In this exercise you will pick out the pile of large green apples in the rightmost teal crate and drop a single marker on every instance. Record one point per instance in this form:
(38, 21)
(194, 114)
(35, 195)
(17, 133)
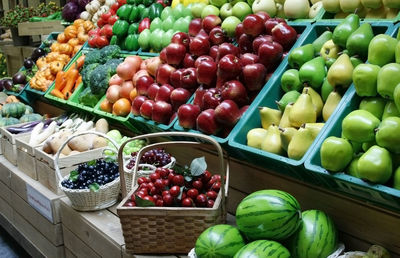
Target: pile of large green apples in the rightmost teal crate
(370, 144)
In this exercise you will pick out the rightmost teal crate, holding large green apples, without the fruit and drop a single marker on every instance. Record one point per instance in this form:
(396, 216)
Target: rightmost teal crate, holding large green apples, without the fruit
(376, 194)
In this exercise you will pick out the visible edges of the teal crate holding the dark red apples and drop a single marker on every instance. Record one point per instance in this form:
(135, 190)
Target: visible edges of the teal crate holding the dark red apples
(304, 29)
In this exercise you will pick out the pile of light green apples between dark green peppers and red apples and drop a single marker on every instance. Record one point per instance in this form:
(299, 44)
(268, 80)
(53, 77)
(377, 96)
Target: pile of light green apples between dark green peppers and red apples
(162, 28)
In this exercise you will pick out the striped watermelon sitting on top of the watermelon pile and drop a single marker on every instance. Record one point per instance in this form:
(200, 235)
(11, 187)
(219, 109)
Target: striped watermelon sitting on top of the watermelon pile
(268, 214)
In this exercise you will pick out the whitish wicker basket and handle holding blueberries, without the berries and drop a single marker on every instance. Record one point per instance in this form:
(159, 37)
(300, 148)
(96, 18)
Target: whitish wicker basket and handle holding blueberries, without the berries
(85, 199)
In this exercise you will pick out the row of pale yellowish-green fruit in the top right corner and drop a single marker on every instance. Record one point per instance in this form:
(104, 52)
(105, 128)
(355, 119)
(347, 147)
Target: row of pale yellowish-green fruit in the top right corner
(370, 9)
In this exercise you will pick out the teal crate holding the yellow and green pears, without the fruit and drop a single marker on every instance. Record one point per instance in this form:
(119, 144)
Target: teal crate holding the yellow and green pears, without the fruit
(252, 120)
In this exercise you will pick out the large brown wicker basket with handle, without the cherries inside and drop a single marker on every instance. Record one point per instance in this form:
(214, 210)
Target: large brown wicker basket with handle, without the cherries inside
(170, 229)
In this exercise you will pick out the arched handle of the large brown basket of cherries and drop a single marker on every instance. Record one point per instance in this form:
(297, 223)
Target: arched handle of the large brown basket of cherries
(205, 138)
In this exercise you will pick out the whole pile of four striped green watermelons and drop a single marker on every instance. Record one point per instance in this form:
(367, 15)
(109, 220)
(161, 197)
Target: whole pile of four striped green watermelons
(271, 224)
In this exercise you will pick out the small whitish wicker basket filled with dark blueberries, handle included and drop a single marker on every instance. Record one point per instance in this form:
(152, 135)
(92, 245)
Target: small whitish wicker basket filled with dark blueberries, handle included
(93, 185)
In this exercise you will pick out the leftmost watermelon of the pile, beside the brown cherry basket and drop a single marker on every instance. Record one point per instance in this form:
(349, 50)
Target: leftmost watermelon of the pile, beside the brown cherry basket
(219, 241)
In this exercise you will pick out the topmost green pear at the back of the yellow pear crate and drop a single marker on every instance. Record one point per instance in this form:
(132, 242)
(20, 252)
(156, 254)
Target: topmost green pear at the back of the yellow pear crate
(343, 31)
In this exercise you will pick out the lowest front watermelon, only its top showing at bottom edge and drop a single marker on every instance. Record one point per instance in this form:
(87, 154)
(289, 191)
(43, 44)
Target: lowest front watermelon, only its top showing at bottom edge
(263, 249)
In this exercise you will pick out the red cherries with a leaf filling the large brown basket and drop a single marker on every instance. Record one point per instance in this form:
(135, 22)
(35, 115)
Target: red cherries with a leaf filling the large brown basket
(176, 187)
